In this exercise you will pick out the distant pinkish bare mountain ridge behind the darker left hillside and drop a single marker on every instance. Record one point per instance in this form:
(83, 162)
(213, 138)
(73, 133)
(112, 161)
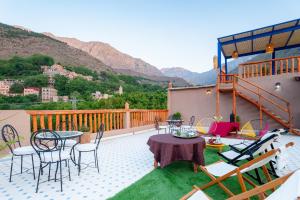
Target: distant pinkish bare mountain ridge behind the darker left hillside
(111, 56)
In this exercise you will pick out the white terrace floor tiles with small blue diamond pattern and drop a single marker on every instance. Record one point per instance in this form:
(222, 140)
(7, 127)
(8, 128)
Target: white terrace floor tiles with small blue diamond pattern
(123, 161)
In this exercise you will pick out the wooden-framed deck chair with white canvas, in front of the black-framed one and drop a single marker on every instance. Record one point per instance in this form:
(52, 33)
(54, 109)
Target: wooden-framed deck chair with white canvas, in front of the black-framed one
(221, 171)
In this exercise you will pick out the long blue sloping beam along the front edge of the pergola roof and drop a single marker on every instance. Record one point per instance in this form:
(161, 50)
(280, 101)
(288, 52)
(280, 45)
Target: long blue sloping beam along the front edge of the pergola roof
(262, 35)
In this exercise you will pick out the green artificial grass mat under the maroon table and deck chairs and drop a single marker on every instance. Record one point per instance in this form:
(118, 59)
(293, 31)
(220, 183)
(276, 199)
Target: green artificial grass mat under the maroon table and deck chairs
(176, 180)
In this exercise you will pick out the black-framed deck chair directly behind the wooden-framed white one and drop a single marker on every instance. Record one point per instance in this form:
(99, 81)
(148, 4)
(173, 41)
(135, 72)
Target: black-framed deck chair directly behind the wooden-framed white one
(258, 147)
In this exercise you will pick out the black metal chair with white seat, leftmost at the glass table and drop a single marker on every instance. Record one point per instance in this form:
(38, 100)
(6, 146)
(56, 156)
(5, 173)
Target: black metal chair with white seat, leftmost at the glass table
(12, 139)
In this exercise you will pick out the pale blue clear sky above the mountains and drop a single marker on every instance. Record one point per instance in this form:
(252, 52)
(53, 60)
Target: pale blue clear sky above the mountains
(165, 33)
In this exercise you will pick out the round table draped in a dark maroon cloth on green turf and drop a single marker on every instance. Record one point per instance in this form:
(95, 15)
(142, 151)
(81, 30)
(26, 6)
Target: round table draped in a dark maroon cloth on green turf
(167, 149)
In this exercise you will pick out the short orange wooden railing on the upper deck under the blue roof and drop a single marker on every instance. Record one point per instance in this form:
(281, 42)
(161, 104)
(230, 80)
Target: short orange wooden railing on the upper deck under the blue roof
(264, 68)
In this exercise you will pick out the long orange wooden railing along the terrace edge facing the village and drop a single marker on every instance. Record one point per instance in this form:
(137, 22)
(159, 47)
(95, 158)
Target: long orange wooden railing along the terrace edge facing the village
(113, 119)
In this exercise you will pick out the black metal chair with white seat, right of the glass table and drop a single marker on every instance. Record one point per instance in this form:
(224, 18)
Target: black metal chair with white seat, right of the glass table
(89, 147)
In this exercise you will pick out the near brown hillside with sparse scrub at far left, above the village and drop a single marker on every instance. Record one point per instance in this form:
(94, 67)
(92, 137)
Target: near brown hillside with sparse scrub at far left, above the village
(17, 41)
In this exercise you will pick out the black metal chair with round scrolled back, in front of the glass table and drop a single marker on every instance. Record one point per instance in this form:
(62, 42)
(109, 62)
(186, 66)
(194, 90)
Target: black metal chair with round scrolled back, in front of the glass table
(48, 146)
